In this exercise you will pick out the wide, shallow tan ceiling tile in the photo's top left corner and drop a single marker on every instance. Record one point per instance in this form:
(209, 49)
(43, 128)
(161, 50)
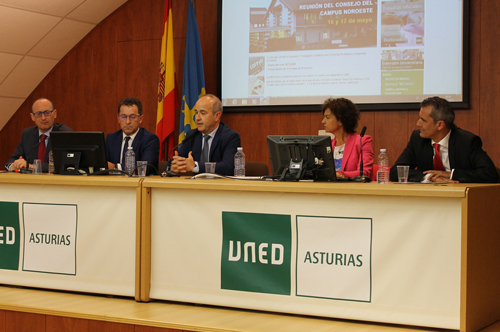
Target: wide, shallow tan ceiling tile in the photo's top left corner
(59, 8)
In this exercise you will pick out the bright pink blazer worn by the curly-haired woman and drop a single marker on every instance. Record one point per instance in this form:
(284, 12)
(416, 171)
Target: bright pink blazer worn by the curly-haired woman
(350, 160)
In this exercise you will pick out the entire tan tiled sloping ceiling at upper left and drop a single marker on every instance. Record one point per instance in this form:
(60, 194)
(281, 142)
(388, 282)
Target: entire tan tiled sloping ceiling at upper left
(35, 35)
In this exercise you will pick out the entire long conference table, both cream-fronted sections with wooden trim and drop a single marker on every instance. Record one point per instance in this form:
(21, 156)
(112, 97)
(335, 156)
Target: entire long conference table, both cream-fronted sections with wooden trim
(412, 254)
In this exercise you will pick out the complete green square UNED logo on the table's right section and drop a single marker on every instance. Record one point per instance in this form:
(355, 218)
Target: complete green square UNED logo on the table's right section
(256, 252)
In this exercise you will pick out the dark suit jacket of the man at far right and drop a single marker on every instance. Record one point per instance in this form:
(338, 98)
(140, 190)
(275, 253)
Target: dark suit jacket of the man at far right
(467, 157)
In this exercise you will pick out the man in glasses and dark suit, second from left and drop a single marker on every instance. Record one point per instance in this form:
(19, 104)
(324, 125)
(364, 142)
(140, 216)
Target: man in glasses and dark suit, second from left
(146, 145)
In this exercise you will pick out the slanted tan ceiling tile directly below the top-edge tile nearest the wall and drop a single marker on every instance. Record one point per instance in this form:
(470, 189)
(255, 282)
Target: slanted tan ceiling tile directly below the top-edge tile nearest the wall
(61, 39)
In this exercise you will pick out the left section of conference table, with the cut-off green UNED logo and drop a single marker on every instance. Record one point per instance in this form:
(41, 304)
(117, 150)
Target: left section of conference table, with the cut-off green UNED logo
(76, 233)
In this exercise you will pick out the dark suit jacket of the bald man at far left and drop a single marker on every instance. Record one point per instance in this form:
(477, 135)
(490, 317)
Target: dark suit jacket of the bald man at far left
(28, 147)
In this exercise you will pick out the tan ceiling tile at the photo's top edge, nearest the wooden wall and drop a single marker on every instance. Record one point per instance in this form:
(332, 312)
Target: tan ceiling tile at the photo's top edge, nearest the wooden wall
(94, 11)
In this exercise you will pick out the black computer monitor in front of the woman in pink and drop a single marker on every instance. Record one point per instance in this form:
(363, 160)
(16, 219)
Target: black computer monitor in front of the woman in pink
(295, 158)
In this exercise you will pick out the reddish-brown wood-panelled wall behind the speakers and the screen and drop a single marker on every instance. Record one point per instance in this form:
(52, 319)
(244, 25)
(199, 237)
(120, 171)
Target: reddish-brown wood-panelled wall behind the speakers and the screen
(120, 58)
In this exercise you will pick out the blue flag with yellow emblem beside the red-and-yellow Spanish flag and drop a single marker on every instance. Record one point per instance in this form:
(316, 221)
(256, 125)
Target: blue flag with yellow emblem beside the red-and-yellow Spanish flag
(194, 78)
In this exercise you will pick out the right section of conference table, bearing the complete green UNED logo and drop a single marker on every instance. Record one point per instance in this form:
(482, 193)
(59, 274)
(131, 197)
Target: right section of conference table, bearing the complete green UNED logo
(412, 254)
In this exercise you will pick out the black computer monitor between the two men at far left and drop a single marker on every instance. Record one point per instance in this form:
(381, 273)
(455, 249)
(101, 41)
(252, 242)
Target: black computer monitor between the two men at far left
(78, 152)
